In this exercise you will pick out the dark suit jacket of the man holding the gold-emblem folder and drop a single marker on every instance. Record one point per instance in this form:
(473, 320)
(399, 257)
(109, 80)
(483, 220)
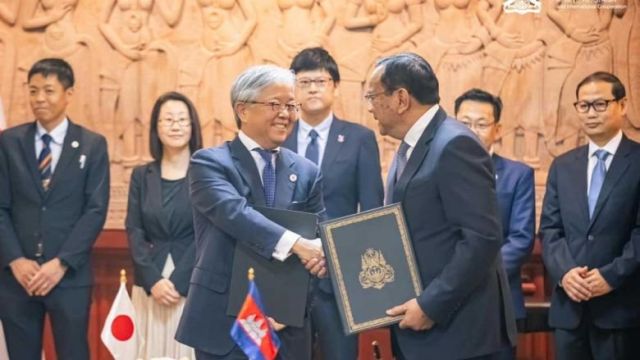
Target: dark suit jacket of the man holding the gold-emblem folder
(447, 191)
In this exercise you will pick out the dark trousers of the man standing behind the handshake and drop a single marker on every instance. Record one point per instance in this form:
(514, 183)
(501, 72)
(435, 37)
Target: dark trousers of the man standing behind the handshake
(327, 326)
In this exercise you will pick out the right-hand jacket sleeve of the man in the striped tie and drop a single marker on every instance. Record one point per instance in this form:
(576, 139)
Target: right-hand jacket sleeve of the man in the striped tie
(76, 249)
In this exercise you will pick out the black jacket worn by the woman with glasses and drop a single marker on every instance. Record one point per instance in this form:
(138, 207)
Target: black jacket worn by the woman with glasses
(150, 240)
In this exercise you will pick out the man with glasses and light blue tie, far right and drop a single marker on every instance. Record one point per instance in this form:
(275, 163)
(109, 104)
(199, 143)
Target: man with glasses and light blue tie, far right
(589, 227)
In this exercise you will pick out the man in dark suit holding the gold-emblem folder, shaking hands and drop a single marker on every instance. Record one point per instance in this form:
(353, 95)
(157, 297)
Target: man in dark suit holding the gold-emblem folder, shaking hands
(444, 179)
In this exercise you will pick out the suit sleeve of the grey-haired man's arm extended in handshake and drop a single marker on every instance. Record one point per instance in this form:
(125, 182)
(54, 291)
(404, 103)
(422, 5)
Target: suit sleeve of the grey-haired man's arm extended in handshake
(215, 197)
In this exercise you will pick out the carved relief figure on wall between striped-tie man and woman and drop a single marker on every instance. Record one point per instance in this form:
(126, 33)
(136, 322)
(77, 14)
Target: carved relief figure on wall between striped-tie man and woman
(140, 76)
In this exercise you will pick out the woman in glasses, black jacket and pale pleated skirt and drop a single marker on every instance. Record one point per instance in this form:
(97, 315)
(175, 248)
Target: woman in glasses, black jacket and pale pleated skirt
(160, 226)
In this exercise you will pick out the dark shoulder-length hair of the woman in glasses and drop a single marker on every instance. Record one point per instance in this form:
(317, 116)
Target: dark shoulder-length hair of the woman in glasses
(195, 143)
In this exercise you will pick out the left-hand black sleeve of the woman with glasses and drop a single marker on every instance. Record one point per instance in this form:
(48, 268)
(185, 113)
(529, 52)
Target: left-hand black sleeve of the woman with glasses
(139, 247)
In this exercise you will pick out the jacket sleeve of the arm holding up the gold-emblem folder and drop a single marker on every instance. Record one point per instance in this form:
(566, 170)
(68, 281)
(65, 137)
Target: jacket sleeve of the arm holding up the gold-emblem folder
(467, 189)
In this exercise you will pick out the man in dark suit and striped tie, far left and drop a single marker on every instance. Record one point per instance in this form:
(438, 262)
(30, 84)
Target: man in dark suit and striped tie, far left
(54, 192)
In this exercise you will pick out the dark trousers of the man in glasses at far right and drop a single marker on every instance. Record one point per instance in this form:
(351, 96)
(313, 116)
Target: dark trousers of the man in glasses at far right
(589, 342)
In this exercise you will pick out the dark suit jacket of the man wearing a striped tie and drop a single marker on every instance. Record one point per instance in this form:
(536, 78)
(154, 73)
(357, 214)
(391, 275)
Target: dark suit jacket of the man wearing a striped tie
(68, 218)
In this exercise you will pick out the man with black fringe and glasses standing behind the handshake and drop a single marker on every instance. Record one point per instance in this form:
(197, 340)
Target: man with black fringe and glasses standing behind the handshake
(348, 155)
